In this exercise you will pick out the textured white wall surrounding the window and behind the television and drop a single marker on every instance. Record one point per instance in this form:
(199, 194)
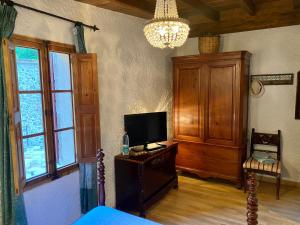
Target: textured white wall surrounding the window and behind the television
(133, 77)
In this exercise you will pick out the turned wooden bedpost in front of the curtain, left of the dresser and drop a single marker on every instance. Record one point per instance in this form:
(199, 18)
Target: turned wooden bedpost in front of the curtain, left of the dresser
(101, 177)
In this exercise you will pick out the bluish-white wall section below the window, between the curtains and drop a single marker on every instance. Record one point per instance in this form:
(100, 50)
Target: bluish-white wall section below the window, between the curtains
(57, 202)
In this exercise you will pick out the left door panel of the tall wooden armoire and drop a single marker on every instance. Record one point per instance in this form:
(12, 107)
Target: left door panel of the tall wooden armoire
(188, 125)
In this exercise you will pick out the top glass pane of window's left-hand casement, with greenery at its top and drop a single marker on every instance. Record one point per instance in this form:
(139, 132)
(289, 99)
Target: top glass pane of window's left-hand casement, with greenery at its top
(28, 69)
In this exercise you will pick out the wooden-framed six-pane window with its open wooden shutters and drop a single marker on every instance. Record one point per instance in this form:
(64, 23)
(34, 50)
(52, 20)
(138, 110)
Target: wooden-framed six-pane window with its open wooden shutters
(53, 106)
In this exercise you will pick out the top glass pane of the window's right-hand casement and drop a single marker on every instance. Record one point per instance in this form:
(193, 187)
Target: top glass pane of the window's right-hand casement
(60, 71)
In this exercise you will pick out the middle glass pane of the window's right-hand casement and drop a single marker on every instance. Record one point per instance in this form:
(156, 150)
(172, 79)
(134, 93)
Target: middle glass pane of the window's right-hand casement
(63, 112)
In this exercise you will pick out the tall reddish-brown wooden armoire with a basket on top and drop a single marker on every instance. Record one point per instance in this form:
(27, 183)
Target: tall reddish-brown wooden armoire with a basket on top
(210, 113)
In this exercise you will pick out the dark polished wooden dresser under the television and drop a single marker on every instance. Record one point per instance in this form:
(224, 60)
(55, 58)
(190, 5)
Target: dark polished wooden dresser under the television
(140, 181)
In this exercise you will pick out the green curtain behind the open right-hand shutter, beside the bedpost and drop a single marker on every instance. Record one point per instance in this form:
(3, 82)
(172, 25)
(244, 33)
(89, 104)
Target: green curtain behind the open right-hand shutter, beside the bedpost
(87, 171)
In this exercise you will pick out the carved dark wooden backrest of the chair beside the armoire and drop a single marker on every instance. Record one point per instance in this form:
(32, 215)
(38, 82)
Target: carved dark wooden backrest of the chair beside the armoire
(266, 139)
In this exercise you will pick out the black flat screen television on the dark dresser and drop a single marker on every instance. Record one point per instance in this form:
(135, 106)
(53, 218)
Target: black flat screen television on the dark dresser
(146, 128)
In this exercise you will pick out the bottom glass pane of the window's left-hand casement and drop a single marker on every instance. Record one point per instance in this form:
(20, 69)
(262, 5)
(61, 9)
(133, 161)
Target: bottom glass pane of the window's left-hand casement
(34, 156)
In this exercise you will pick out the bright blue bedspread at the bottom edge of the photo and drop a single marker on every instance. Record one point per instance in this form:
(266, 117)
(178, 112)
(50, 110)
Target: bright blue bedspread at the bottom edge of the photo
(103, 215)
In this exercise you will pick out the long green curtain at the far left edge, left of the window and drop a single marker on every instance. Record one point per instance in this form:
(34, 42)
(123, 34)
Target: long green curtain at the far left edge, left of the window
(12, 206)
